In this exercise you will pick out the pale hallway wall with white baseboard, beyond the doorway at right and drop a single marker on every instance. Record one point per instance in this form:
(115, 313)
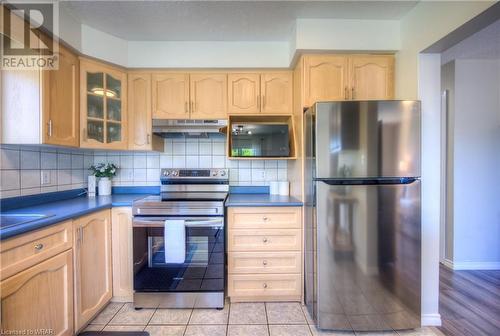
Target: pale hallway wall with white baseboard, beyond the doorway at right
(476, 163)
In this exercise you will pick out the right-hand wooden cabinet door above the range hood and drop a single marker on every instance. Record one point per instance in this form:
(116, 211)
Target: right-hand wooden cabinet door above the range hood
(208, 94)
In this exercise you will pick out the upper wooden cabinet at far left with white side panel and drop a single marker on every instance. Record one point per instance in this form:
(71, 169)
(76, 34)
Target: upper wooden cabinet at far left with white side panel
(44, 102)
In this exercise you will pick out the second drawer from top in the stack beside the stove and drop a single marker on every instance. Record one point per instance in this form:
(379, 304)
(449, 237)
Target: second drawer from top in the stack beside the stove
(264, 240)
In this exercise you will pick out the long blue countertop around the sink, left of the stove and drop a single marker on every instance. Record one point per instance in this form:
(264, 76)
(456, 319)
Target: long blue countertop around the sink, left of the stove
(66, 209)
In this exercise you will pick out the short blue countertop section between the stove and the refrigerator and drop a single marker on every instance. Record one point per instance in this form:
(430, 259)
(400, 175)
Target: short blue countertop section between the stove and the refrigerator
(261, 200)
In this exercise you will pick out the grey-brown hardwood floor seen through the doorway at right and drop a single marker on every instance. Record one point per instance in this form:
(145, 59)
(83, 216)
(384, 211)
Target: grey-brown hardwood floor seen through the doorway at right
(469, 302)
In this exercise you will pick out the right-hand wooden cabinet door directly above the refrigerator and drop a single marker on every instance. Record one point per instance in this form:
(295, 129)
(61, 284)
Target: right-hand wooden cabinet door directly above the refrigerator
(372, 77)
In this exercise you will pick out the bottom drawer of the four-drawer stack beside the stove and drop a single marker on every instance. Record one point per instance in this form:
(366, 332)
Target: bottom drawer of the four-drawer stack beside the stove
(264, 287)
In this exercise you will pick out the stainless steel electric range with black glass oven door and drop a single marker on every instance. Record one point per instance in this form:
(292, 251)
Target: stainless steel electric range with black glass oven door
(197, 197)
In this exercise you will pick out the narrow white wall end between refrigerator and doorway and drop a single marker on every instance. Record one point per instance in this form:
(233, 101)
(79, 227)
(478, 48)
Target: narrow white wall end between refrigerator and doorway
(429, 86)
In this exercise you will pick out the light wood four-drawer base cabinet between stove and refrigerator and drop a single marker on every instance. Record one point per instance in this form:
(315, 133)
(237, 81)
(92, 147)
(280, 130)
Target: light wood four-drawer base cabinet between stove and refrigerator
(264, 254)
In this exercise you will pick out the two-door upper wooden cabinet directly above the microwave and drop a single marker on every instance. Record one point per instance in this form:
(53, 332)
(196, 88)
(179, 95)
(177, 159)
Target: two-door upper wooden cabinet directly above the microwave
(252, 93)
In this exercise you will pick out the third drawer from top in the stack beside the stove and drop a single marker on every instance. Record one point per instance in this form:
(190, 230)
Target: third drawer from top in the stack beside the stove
(264, 262)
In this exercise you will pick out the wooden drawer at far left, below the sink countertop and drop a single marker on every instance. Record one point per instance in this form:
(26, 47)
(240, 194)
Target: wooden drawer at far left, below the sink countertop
(19, 253)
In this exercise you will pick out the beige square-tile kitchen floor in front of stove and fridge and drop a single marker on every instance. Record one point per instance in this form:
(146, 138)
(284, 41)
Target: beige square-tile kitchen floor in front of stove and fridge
(237, 319)
